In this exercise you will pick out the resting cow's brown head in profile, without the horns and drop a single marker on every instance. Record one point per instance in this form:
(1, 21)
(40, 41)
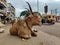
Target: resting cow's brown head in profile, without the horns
(33, 20)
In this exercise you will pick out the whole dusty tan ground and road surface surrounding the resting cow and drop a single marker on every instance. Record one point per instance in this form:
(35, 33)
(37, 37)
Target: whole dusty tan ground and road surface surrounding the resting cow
(47, 34)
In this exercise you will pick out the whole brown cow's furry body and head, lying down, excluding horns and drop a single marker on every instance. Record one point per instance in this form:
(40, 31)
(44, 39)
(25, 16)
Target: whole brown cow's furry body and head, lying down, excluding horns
(19, 29)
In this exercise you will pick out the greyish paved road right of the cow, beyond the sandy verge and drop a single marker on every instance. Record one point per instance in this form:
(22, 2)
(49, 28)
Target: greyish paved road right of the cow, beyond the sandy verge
(51, 29)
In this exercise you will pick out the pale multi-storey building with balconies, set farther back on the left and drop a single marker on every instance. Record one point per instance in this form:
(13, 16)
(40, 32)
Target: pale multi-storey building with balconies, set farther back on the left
(10, 11)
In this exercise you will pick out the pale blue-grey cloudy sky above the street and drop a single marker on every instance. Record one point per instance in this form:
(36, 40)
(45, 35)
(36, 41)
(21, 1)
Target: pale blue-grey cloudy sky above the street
(20, 5)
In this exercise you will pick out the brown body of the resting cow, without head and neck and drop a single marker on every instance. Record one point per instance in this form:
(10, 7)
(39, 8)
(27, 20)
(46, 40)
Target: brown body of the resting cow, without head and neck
(19, 29)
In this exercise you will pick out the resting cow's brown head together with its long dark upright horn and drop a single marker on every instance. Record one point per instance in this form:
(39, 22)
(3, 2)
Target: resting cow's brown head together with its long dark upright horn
(33, 19)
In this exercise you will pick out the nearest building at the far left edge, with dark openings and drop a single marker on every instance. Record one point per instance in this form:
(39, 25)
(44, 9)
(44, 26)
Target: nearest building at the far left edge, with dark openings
(3, 10)
